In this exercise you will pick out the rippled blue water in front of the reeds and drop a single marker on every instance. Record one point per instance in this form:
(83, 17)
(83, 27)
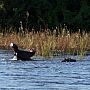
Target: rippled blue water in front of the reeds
(43, 74)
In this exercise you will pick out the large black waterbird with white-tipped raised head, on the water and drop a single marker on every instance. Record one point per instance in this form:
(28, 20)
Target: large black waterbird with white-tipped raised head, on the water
(21, 54)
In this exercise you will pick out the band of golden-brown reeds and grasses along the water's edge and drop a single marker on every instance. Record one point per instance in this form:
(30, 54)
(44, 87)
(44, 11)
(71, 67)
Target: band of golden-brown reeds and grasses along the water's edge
(49, 43)
